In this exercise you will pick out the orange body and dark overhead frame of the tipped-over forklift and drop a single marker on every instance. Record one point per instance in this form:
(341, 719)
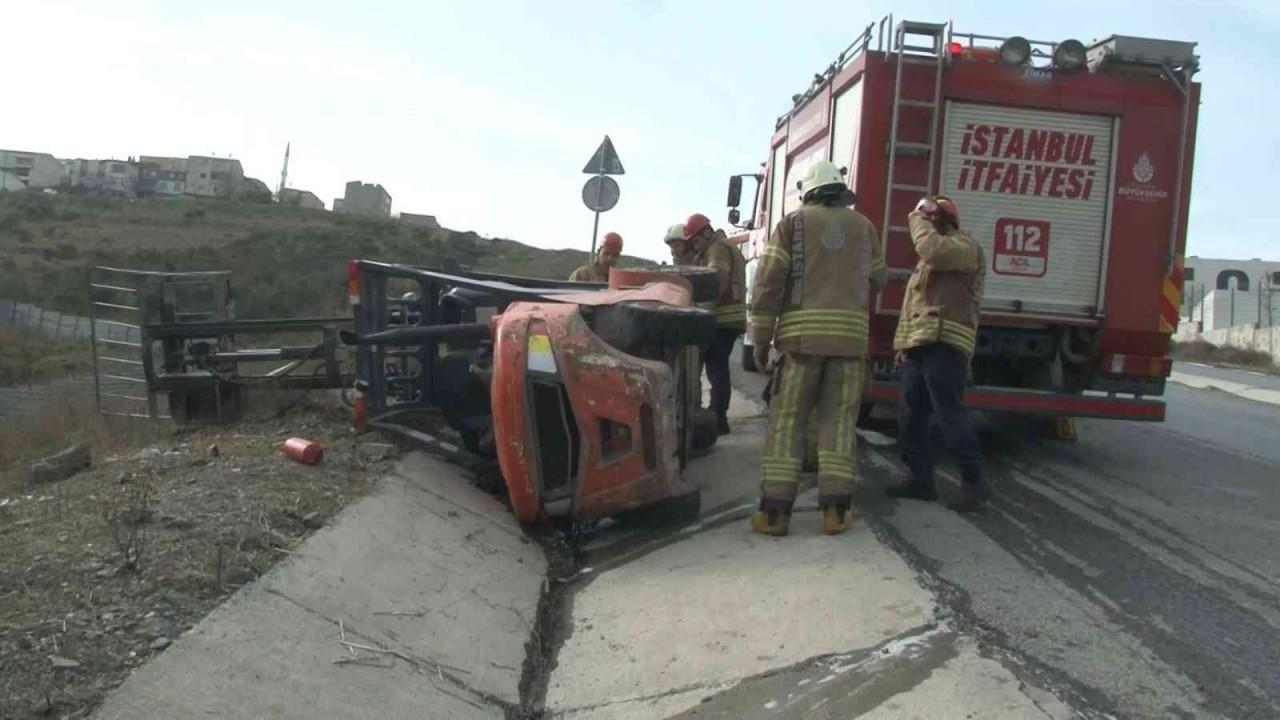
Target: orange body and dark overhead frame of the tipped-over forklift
(587, 397)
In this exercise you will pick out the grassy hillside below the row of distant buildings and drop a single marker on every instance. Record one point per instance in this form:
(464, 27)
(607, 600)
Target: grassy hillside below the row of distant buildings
(284, 261)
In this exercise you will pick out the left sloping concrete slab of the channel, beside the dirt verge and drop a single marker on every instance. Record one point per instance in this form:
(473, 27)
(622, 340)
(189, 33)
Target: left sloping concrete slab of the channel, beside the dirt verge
(435, 573)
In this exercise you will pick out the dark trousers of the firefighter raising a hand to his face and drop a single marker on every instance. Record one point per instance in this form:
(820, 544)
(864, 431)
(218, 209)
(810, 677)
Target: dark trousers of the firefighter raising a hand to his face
(932, 386)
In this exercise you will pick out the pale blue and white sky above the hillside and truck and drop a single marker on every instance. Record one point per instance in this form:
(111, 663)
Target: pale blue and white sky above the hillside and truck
(484, 113)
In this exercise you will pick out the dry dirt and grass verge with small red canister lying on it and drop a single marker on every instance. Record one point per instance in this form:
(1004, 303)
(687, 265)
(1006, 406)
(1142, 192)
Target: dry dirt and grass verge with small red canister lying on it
(103, 571)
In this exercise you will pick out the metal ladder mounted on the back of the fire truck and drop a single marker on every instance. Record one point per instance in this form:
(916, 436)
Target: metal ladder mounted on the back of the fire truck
(913, 53)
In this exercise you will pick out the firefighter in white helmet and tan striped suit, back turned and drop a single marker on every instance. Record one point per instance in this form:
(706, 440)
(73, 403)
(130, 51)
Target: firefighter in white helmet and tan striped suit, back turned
(811, 302)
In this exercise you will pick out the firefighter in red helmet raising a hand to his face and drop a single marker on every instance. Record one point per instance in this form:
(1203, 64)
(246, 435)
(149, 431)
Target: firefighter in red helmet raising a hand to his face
(935, 341)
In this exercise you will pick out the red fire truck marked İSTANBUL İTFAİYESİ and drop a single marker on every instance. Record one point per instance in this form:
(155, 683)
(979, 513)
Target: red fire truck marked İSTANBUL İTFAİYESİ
(1069, 163)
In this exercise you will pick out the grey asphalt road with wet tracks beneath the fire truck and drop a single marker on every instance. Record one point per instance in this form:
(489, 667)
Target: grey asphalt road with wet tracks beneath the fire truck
(1133, 573)
